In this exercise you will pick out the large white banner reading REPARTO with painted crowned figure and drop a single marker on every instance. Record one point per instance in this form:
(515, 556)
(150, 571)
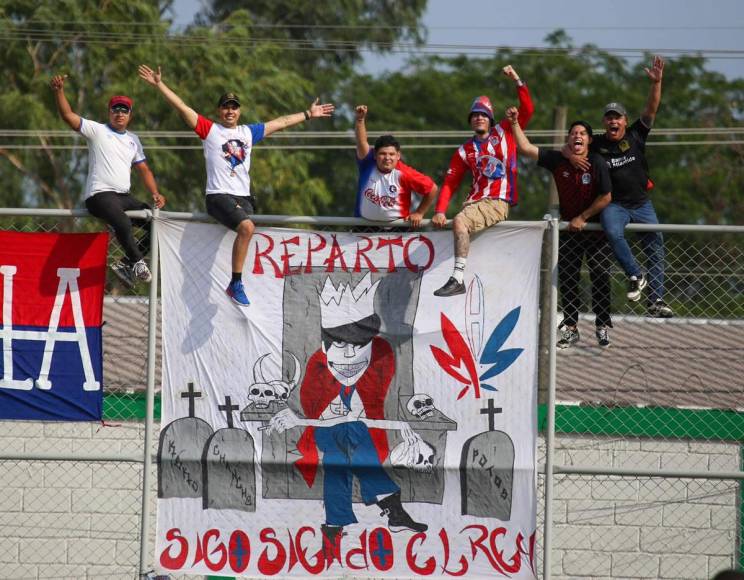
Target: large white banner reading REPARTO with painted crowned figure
(348, 423)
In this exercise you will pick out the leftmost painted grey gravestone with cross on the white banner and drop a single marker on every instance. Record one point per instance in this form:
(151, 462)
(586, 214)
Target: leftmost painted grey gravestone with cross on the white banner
(180, 450)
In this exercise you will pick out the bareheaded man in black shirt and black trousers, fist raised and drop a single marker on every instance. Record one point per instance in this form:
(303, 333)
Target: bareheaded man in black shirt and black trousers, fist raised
(582, 195)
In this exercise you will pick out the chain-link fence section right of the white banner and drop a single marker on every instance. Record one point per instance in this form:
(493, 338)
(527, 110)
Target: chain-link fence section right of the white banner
(648, 455)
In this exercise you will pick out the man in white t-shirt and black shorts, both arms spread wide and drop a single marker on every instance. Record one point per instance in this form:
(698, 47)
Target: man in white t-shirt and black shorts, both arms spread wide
(227, 151)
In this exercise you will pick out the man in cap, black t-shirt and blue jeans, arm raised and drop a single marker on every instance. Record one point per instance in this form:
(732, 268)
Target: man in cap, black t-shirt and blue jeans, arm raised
(624, 149)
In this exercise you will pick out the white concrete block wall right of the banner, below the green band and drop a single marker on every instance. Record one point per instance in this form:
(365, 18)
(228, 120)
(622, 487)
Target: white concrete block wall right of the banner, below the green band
(639, 527)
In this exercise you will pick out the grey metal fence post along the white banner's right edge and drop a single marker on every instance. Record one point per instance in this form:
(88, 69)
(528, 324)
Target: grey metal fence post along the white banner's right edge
(550, 425)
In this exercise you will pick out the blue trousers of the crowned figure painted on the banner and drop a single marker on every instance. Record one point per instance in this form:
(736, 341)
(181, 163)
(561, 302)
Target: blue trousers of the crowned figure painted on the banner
(348, 450)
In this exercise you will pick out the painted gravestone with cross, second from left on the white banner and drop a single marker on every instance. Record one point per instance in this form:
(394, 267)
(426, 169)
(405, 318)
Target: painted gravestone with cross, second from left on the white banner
(229, 468)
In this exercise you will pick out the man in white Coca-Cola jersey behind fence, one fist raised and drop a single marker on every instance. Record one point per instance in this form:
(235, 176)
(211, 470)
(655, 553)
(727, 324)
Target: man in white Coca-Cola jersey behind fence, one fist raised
(385, 182)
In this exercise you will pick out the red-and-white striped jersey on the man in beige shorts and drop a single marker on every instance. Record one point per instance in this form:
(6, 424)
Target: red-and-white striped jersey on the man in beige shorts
(491, 161)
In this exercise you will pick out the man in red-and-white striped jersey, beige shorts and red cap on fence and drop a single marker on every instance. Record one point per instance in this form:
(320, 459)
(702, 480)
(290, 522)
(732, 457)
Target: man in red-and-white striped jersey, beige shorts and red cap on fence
(491, 157)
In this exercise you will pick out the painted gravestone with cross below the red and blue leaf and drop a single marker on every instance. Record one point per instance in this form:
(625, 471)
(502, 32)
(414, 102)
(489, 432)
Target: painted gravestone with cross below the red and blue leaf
(487, 471)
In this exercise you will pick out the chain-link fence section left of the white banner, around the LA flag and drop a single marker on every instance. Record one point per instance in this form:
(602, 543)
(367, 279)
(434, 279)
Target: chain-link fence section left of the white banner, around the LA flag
(72, 492)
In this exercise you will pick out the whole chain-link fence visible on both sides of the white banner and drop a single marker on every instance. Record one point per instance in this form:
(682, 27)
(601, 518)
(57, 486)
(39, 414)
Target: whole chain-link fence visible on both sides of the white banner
(642, 478)
